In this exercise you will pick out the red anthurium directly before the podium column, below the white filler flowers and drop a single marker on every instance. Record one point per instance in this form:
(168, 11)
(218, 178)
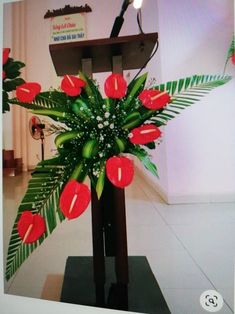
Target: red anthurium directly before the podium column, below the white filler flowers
(120, 171)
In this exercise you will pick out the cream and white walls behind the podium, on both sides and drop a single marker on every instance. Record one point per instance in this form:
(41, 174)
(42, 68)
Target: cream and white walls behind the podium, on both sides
(196, 158)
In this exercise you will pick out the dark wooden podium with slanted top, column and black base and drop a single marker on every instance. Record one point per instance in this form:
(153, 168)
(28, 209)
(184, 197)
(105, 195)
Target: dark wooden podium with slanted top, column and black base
(110, 279)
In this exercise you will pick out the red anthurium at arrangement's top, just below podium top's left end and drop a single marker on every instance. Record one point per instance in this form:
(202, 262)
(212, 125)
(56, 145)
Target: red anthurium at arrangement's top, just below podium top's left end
(71, 85)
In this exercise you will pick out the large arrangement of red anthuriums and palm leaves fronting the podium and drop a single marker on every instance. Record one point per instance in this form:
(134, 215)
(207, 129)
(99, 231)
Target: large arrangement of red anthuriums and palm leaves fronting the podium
(97, 136)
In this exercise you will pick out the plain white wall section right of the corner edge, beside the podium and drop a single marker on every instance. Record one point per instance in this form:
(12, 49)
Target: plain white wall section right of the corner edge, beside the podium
(200, 152)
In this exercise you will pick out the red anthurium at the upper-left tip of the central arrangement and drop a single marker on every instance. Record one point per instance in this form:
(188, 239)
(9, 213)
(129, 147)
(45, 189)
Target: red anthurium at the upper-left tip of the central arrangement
(27, 91)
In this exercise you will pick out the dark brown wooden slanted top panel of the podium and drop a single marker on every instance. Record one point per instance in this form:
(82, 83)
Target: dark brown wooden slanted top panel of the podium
(135, 51)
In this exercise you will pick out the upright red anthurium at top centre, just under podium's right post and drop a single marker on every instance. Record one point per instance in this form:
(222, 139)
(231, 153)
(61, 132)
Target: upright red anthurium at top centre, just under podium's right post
(115, 86)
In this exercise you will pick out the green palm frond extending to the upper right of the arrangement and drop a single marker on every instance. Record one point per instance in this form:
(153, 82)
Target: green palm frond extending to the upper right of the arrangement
(184, 93)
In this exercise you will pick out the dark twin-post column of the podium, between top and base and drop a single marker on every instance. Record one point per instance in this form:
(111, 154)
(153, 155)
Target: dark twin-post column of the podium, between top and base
(109, 229)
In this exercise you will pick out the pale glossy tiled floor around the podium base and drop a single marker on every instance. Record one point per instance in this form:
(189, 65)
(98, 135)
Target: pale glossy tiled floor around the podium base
(190, 248)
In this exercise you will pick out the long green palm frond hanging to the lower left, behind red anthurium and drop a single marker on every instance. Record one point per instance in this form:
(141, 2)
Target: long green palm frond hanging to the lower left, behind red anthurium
(42, 197)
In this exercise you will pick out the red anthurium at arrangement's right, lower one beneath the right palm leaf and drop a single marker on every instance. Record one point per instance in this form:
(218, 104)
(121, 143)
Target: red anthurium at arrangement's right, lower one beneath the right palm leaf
(144, 134)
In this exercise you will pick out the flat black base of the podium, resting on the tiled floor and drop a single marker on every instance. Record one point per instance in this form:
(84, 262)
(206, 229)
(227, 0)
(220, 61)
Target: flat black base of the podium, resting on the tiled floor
(143, 292)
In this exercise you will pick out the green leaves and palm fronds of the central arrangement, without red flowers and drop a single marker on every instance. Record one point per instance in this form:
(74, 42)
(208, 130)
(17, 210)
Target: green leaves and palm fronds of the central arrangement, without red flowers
(95, 130)
